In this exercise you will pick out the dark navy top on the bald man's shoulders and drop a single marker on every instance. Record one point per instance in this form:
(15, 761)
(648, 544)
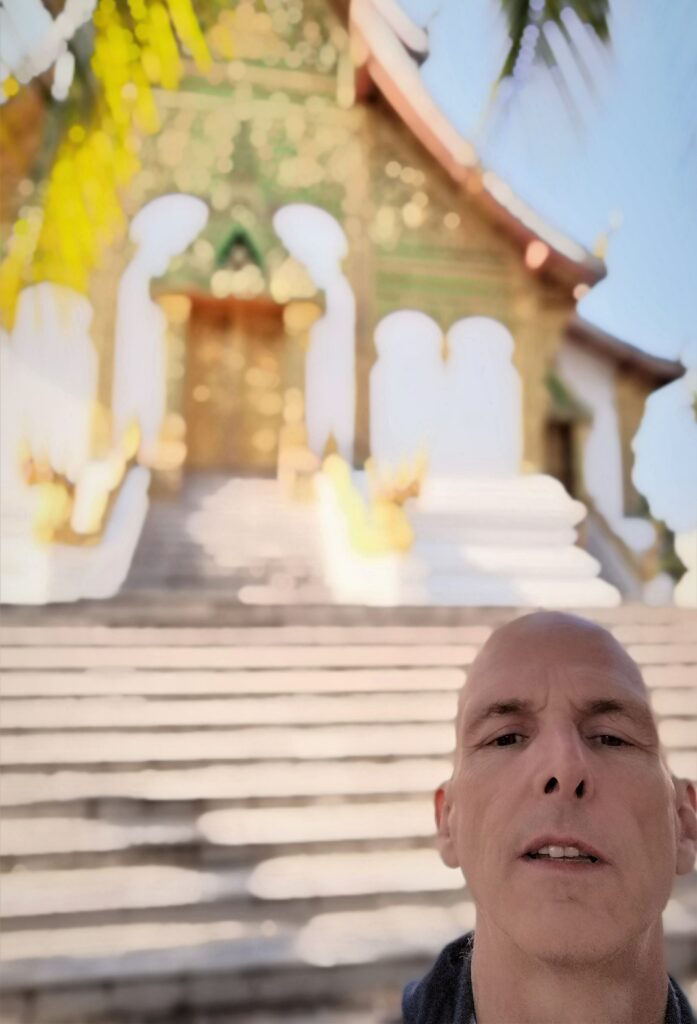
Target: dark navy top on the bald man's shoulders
(445, 996)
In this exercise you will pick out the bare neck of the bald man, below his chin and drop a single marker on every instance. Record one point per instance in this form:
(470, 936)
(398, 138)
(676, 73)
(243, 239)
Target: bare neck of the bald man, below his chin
(511, 986)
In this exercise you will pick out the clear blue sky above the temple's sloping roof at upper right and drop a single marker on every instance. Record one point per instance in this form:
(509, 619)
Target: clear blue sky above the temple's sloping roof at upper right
(603, 146)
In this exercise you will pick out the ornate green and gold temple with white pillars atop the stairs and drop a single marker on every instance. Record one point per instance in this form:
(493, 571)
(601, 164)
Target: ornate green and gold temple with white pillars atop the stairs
(347, 286)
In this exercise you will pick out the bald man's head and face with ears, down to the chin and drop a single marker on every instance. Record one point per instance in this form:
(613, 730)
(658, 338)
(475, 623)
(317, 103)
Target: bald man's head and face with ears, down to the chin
(558, 766)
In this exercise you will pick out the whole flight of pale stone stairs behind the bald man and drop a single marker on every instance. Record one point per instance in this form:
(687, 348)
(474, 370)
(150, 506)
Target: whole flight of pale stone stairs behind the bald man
(235, 823)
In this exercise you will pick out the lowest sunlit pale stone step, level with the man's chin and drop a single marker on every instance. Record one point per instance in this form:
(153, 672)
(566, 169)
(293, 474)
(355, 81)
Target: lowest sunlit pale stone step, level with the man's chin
(132, 952)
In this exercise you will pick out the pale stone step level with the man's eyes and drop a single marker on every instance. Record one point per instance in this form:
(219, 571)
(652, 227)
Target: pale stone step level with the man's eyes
(312, 743)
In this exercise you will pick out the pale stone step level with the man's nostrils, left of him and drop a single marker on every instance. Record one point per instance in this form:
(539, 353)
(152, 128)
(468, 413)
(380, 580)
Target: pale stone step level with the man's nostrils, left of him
(231, 783)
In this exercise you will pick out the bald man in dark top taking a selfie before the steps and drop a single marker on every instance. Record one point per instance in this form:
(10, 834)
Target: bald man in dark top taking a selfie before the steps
(570, 829)
